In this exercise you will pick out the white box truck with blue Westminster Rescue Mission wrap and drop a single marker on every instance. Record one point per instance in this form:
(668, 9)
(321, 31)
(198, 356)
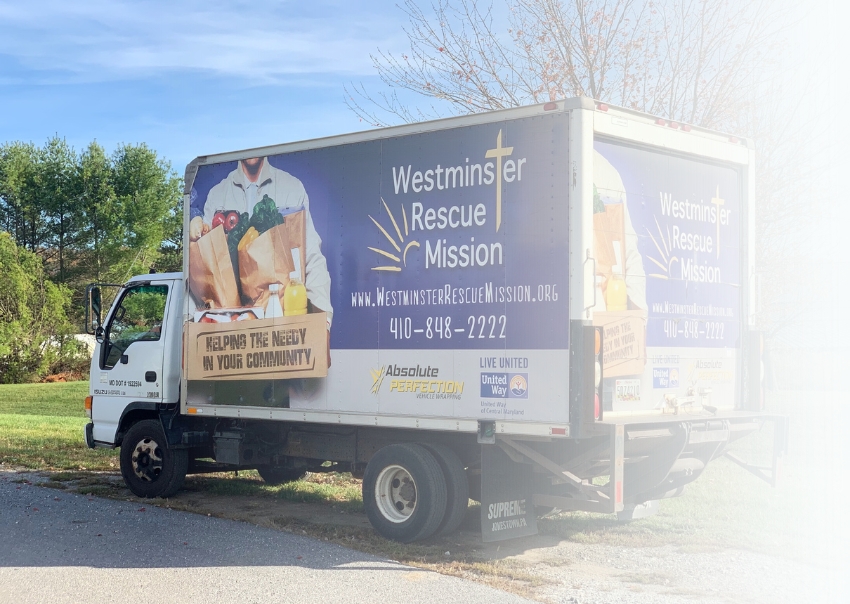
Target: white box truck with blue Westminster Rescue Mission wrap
(548, 306)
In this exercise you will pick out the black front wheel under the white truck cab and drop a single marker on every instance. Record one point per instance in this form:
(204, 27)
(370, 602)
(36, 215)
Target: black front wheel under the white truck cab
(149, 467)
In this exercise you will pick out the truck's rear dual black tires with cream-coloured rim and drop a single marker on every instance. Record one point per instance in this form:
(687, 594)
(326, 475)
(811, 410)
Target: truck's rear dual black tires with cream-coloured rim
(404, 493)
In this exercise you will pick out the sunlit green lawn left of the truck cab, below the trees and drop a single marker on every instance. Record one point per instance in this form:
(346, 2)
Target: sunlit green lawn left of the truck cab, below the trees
(41, 428)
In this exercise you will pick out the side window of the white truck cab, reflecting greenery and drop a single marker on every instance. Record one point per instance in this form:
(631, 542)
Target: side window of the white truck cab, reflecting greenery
(138, 318)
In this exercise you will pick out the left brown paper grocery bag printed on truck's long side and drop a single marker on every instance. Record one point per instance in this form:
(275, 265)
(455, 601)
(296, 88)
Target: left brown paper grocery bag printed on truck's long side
(211, 276)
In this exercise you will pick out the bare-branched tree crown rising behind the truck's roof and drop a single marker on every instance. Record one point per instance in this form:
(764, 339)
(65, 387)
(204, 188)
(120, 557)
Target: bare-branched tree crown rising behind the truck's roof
(687, 60)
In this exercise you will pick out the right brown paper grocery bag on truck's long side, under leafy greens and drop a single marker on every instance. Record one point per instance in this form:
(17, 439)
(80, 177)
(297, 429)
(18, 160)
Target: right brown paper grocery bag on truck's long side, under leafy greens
(266, 260)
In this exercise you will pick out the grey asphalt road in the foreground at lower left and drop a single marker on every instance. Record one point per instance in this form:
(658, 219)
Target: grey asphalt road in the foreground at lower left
(59, 547)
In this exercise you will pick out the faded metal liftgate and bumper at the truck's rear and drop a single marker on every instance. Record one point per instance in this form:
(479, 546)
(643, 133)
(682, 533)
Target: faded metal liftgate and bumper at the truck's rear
(638, 460)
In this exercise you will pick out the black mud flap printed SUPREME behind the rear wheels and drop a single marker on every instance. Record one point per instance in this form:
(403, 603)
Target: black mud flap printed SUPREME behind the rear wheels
(507, 505)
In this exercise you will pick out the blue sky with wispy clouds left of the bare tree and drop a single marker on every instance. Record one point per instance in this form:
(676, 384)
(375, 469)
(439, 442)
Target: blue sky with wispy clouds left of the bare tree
(187, 78)
